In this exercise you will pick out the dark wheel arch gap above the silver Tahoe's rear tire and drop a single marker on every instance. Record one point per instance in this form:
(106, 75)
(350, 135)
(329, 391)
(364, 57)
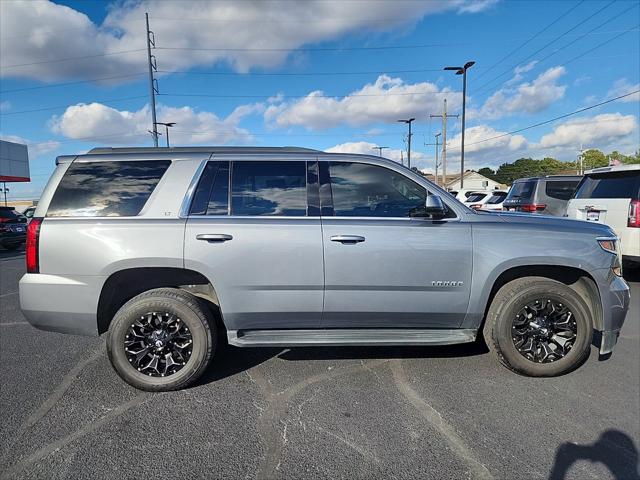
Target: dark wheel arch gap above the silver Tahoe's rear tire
(123, 285)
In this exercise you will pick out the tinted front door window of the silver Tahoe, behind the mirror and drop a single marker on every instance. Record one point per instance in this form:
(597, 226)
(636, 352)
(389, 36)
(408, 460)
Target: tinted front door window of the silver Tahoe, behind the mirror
(361, 190)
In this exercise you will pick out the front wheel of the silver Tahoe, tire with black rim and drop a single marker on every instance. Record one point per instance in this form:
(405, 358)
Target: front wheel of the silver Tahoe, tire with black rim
(505, 317)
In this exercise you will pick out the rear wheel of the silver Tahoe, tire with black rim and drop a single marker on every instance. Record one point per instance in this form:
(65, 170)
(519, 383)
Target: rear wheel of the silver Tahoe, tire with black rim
(179, 317)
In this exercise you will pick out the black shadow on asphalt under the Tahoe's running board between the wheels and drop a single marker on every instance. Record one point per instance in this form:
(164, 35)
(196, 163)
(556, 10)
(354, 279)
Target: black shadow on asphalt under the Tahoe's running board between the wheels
(231, 360)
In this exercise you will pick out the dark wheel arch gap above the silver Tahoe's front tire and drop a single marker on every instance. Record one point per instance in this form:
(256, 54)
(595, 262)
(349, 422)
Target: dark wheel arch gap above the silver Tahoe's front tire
(577, 279)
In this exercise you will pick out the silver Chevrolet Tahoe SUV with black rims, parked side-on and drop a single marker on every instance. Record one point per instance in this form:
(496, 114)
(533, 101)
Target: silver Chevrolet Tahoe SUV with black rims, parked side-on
(171, 250)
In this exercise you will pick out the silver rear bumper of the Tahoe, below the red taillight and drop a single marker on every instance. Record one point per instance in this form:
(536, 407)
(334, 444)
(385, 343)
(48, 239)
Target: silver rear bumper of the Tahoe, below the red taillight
(61, 303)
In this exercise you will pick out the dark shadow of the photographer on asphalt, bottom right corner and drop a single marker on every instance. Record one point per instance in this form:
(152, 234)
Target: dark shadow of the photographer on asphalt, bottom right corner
(614, 449)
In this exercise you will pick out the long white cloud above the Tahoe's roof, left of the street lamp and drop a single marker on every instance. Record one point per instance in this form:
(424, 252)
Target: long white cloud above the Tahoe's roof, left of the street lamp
(384, 101)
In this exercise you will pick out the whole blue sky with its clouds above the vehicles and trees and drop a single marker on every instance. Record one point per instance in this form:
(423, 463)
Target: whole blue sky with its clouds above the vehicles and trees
(328, 74)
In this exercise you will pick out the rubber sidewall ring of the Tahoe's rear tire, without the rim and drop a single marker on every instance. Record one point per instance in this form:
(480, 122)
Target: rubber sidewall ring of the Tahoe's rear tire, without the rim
(201, 347)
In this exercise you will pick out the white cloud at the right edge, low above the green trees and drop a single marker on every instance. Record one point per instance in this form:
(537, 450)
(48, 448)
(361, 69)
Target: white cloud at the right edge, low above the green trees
(600, 130)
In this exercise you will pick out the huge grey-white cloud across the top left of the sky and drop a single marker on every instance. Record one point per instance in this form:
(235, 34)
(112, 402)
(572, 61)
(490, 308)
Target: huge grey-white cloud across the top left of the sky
(55, 31)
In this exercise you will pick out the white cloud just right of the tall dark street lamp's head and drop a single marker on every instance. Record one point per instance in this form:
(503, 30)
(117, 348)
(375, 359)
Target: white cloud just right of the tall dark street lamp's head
(524, 98)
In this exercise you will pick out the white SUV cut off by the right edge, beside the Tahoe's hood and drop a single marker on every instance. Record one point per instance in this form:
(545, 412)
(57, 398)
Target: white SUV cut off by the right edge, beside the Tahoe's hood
(611, 196)
